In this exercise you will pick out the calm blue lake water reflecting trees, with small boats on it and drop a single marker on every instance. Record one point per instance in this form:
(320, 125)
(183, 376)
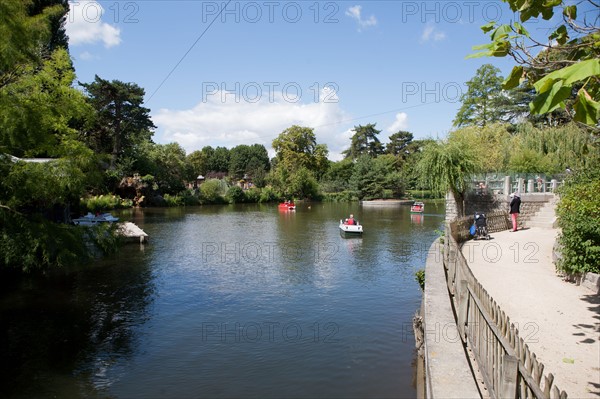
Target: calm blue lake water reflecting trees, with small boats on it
(237, 301)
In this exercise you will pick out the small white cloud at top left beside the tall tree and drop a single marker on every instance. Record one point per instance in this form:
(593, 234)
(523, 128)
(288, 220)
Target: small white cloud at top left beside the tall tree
(84, 25)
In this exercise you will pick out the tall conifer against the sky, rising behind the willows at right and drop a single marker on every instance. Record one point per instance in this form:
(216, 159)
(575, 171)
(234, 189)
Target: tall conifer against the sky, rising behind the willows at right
(483, 101)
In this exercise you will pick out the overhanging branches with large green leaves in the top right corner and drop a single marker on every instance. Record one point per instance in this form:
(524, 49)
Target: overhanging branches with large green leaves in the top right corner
(563, 68)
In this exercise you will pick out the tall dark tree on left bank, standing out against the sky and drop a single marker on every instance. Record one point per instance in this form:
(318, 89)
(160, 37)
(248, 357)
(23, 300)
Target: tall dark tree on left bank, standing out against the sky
(121, 121)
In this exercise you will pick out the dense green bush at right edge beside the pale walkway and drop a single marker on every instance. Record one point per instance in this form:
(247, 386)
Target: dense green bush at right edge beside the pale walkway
(579, 219)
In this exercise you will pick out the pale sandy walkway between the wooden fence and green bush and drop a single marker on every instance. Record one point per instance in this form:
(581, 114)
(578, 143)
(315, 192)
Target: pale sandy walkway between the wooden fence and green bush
(559, 321)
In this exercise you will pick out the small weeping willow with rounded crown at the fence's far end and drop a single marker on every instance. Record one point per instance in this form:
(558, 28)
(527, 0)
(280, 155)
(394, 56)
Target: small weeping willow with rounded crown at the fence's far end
(448, 166)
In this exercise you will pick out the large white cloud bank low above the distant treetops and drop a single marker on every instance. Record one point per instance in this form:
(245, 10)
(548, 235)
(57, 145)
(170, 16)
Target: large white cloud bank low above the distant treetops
(221, 121)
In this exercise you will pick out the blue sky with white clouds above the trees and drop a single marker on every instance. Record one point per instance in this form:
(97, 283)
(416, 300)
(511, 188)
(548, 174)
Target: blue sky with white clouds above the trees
(245, 75)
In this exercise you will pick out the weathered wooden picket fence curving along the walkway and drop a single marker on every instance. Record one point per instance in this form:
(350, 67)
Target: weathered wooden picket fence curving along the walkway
(508, 367)
